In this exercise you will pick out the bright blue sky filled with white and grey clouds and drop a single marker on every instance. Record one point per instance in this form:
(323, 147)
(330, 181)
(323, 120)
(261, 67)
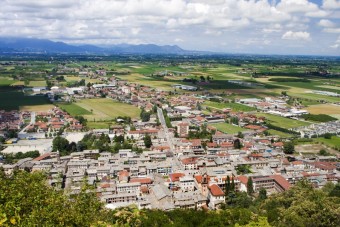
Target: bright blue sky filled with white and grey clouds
(233, 26)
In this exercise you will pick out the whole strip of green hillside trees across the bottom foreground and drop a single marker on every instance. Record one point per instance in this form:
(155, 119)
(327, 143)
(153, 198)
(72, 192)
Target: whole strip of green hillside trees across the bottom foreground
(26, 200)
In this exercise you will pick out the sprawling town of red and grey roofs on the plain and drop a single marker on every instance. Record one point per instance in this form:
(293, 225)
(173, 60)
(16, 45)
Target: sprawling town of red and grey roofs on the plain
(165, 149)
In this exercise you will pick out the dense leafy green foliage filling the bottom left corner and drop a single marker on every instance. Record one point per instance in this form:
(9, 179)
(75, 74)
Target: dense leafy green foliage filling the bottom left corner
(26, 200)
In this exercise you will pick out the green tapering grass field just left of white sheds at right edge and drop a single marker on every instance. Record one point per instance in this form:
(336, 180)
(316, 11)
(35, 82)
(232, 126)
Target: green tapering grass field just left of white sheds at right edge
(282, 121)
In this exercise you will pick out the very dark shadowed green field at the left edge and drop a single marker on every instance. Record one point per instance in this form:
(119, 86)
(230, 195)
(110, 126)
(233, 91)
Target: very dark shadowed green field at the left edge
(14, 100)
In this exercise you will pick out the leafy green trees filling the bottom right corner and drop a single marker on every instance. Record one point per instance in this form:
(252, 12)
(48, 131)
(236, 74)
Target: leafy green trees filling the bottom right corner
(302, 206)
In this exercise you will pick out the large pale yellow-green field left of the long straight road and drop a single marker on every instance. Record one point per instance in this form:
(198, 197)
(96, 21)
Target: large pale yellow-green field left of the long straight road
(106, 109)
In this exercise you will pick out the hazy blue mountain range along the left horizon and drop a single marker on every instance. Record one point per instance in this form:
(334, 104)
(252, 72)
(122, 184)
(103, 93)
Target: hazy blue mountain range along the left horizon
(31, 45)
